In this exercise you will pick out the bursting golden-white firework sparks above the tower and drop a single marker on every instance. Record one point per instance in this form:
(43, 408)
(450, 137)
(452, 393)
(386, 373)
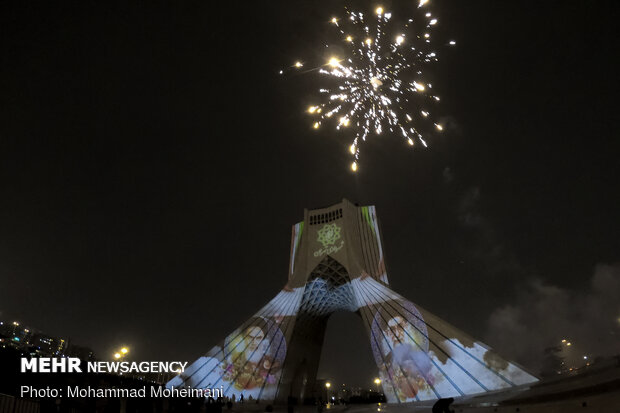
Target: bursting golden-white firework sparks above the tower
(379, 84)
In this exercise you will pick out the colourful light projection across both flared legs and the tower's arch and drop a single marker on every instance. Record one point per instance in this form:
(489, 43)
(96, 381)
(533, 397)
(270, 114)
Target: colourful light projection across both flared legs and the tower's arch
(419, 356)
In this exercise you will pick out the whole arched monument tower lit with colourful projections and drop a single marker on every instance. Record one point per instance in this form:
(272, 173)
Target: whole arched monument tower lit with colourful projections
(337, 263)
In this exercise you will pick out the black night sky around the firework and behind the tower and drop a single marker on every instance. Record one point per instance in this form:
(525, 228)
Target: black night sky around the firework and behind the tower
(152, 162)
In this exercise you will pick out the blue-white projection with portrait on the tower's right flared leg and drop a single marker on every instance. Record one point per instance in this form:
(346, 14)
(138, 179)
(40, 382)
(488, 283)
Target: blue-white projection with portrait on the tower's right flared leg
(420, 357)
